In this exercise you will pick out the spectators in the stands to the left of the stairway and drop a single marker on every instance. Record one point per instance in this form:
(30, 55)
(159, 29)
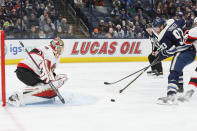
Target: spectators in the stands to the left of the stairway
(39, 19)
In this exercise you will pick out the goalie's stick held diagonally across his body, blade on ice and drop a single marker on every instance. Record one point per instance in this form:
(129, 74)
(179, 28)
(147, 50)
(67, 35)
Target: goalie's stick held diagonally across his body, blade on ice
(50, 83)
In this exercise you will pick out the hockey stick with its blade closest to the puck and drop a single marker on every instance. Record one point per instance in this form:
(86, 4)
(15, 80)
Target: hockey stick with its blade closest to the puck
(144, 70)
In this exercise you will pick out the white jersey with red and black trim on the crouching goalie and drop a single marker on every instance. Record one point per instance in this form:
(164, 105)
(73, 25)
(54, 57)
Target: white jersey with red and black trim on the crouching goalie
(39, 54)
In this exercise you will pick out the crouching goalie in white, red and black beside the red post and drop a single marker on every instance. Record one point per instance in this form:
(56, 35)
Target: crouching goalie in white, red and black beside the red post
(37, 78)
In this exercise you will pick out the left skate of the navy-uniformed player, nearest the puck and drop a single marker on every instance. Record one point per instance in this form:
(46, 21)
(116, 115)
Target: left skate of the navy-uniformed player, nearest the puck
(168, 100)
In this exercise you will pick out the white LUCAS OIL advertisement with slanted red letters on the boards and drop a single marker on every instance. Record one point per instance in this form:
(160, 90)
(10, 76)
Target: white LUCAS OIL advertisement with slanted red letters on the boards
(108, 47)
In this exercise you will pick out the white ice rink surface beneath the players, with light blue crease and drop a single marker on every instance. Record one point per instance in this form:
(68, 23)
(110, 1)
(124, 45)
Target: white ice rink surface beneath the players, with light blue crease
(91, 109)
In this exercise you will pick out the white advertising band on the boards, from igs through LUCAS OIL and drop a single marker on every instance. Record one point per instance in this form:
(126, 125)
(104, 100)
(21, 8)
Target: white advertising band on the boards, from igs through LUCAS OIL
(85, 47)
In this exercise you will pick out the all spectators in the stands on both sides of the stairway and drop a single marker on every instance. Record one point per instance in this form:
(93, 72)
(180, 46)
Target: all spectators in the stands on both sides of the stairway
(128, 17)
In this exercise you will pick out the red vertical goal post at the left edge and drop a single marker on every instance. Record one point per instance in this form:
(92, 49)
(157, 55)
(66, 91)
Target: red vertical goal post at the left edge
(2, 69)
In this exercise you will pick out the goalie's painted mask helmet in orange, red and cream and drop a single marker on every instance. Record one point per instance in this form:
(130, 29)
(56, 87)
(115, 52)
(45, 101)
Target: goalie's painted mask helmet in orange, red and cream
(58, 46)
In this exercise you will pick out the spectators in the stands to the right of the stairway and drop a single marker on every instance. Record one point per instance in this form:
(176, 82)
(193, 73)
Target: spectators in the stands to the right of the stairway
(131, 16)
